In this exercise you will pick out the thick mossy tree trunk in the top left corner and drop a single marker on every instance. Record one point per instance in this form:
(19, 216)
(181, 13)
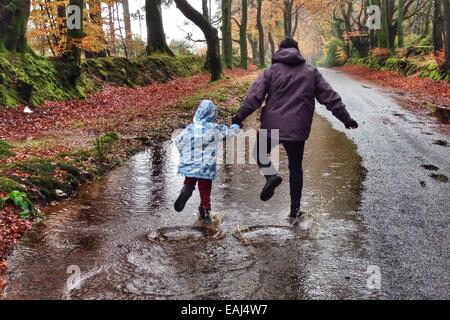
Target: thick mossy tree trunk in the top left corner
(14, 16)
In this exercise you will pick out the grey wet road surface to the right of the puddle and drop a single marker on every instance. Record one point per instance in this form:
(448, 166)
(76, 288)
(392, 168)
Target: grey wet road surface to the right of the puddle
(406, 198)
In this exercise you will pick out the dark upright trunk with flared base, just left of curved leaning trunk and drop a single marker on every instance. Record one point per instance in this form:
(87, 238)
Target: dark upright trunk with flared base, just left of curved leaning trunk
(156, 37)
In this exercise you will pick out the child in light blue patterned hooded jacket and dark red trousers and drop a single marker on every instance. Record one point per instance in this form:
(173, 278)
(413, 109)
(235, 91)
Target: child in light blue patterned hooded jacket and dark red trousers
(197, 145)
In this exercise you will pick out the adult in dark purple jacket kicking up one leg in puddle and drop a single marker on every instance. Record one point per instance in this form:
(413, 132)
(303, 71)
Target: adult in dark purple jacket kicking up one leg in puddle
(289, 88)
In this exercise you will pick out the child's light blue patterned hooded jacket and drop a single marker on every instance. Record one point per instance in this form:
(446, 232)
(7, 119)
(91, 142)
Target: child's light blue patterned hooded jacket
(197, 144)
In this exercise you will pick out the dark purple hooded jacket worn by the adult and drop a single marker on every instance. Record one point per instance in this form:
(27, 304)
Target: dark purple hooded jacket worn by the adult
(289, 88)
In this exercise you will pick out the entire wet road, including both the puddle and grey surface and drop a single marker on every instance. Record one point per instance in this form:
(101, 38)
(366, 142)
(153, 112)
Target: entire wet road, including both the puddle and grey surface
(370, 199)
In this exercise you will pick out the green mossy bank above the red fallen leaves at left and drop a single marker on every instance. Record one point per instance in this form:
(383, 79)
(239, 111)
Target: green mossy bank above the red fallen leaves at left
(31, 79)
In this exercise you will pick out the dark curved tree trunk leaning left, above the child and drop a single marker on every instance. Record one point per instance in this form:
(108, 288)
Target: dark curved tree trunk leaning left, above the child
(211, 35)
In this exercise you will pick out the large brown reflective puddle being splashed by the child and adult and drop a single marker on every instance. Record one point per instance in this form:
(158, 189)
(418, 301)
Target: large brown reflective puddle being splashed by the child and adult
(110, 224)
